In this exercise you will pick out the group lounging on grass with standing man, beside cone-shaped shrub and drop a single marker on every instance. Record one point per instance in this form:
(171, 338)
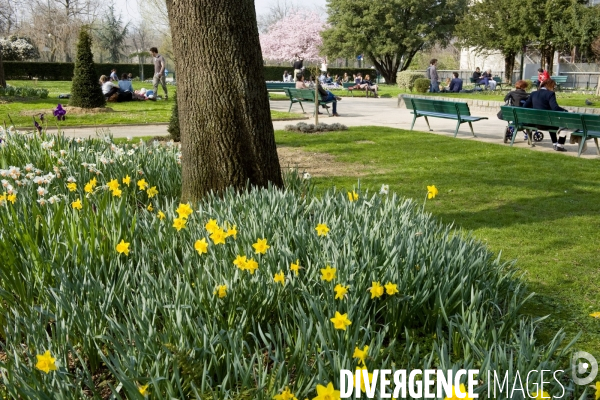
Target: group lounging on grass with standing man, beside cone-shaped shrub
(119, 90)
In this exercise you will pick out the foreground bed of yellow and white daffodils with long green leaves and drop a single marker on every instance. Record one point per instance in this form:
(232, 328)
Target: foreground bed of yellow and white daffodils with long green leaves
(261, 294)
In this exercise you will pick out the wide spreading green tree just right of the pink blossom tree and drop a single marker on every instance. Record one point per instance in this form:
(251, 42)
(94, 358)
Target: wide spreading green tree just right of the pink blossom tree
(389, 32)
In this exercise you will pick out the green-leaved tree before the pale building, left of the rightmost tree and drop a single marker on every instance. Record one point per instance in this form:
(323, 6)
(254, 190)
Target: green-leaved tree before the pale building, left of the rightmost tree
(498, 25)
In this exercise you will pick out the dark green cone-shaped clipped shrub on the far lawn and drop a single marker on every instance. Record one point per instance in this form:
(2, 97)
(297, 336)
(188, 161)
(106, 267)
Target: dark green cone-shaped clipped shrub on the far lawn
(85, 90)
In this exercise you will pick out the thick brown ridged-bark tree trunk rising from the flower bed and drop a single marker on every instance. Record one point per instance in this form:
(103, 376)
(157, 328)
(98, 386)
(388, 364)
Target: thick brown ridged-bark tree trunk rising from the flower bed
(227, 134)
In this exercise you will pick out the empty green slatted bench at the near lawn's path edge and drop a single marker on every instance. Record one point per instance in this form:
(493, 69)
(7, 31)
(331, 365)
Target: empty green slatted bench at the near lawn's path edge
(441, 109)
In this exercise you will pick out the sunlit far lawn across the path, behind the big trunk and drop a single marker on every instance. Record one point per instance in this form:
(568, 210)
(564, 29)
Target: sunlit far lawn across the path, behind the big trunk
(128, 113)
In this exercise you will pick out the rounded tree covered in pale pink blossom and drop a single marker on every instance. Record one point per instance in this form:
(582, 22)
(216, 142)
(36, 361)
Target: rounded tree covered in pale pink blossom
(298, 33)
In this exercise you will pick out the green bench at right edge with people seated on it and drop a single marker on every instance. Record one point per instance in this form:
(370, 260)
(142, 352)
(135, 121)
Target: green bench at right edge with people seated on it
(528, 119)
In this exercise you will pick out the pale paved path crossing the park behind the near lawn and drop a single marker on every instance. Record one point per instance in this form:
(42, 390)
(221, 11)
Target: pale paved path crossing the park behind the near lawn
(373, 112)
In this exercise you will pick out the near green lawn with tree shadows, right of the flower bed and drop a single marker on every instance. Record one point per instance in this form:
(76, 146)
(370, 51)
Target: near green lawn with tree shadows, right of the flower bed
(540, 209)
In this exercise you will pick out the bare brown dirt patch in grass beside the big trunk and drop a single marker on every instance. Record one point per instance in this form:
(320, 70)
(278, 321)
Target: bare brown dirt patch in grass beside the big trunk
(321, 164)
